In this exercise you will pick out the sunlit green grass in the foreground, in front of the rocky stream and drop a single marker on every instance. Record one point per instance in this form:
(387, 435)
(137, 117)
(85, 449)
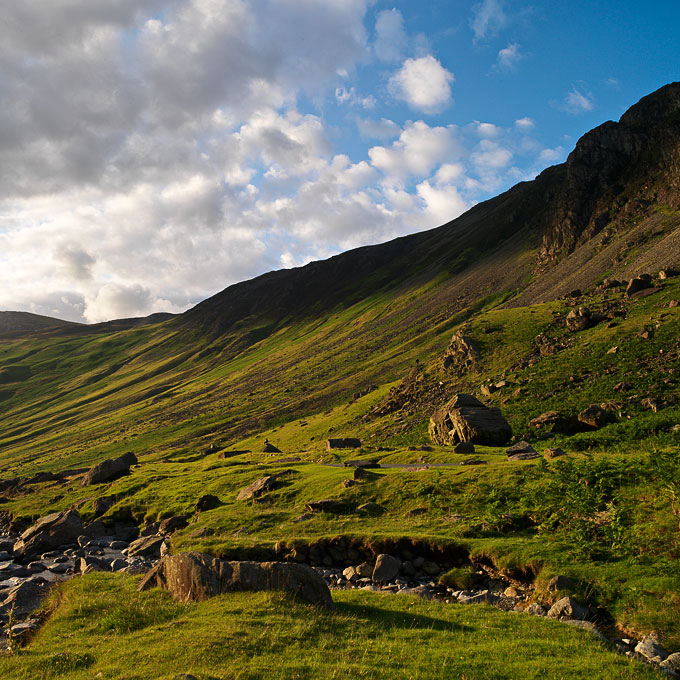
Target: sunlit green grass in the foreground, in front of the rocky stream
(254, 635)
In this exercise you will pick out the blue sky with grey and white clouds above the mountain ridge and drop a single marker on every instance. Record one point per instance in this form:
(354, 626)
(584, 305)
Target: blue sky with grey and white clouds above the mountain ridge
(153, 152)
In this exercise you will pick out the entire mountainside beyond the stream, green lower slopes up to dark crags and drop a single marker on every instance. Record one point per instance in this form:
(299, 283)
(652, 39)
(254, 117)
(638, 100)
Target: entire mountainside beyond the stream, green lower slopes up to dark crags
(522, 302)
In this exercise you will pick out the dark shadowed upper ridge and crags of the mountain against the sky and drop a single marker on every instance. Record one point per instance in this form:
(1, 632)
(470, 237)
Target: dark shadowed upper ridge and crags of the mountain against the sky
(619, 175)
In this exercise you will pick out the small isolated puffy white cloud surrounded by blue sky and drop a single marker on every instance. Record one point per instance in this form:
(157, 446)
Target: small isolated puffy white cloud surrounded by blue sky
(424, 84)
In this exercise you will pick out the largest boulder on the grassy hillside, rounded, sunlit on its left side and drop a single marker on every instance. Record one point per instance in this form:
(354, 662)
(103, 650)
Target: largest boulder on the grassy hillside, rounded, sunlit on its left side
(464, 418)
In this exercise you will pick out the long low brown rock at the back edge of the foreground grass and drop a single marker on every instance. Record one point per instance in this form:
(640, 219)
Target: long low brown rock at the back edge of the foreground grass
(194, 576)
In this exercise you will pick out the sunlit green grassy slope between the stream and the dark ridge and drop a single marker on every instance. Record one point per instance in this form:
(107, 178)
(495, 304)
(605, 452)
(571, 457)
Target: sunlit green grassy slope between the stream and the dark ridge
(72, 401)
